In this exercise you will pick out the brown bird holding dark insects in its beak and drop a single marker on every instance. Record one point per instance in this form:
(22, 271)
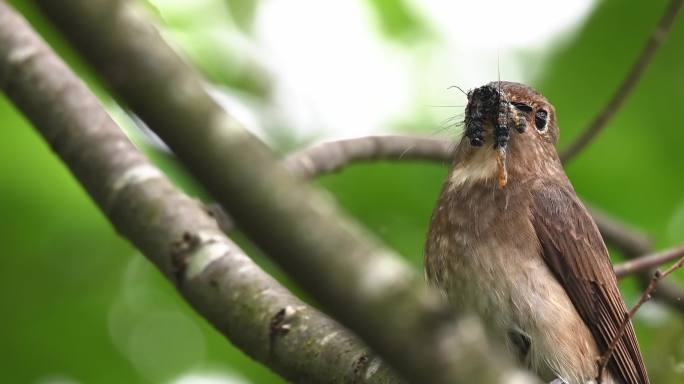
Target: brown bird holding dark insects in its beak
(510, 241)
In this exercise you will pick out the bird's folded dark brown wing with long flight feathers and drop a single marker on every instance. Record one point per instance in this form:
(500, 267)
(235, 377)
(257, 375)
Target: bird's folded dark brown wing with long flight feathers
(574, 250)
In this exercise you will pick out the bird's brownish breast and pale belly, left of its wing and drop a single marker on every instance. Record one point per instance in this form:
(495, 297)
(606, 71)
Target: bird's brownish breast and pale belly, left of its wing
(483, 253)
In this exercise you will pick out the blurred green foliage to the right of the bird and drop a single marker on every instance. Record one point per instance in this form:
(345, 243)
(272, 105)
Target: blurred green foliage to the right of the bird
(633, 169)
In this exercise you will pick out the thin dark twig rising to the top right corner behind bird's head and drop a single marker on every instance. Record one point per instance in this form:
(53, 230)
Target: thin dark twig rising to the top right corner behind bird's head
(628, 83)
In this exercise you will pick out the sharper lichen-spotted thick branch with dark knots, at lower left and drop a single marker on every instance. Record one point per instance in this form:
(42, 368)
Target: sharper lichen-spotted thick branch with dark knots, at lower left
(213, 274)
